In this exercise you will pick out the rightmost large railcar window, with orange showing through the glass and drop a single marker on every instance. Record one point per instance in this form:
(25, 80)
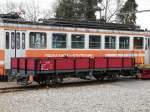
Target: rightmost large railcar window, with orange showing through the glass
(138, 42)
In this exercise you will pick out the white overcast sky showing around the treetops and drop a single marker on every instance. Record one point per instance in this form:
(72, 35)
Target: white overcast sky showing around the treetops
(143, 18)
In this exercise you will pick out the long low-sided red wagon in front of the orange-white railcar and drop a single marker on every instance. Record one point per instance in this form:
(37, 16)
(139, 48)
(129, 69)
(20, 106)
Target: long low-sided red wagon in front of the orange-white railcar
(54, 69)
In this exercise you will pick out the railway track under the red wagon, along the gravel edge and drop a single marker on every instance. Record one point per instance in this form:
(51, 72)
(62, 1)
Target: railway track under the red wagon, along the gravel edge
(65, 84)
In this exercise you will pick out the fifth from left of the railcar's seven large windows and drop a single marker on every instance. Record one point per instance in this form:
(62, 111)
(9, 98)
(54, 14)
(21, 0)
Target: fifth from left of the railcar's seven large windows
(110, 42)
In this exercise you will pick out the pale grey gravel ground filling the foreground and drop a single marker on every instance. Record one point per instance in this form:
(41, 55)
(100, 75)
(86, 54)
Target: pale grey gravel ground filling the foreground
(122, 96)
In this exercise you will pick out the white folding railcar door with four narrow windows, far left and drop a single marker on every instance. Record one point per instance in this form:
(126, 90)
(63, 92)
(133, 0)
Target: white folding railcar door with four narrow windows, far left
(14, 45)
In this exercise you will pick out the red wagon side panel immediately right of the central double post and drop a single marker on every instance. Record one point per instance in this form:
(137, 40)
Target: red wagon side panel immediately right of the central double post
(100, 62)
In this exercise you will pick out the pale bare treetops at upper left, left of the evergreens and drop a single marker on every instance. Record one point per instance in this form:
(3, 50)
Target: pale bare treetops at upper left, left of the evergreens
(30, 9)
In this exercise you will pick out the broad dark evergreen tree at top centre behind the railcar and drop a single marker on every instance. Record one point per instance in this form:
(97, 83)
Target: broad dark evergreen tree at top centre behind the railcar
(77, 9)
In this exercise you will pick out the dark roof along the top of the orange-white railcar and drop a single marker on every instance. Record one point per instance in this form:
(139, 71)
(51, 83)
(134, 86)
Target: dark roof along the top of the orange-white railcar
(77, 24)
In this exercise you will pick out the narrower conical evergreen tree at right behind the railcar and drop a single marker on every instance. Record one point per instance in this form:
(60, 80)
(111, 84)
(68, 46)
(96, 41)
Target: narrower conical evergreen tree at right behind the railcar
(125, 17)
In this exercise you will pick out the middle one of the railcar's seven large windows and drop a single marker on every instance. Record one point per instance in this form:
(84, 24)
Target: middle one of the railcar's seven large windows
(94, 42)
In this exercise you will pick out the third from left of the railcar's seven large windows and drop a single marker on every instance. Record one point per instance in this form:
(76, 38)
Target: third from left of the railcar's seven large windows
(77, 41)
